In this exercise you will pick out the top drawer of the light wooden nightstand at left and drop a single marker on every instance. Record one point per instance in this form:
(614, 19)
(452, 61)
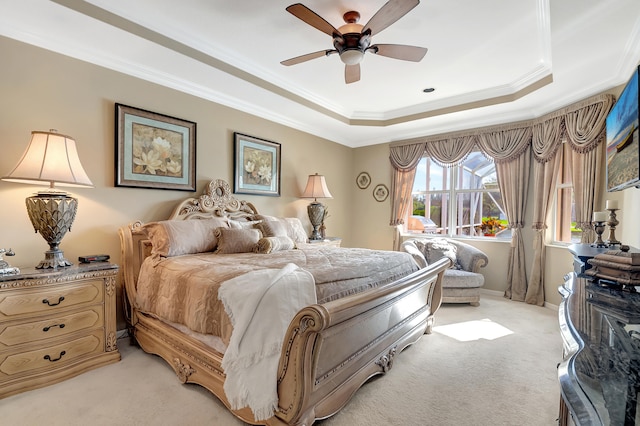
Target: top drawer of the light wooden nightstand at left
(23, 303)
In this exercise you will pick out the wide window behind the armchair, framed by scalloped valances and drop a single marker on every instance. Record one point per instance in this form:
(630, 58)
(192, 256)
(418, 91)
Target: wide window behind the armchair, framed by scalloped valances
(460, 200)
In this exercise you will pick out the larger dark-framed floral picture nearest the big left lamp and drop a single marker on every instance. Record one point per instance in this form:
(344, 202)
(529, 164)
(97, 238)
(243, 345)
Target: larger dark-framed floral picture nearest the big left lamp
(154, 150)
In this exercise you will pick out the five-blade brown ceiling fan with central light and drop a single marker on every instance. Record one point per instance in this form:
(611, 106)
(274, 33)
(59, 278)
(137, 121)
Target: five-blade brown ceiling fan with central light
(352, 40)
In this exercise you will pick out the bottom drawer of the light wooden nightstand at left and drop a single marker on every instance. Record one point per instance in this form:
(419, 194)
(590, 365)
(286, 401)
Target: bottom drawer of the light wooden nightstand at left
(54, 356)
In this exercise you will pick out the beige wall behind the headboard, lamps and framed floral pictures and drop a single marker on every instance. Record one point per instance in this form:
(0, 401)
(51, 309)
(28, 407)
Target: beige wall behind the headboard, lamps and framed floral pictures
(41, 90)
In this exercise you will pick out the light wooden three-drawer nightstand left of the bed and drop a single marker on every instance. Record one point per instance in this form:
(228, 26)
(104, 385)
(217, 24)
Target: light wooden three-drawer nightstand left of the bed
(56, 324)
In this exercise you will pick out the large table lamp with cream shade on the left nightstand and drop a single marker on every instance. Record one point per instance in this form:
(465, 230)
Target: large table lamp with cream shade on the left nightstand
(51, 158)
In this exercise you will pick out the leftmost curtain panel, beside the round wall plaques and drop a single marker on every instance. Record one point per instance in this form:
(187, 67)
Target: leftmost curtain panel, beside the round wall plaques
(404, 159)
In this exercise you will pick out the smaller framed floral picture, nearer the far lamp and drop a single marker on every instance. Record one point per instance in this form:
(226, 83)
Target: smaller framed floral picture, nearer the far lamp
(256, 166)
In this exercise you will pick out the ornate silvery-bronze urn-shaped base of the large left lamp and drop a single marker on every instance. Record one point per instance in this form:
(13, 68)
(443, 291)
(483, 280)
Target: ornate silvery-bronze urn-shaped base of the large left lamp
(52, 214)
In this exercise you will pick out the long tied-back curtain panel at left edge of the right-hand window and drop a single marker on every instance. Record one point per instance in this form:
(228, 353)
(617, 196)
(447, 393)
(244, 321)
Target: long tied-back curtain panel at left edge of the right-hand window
(545, 141)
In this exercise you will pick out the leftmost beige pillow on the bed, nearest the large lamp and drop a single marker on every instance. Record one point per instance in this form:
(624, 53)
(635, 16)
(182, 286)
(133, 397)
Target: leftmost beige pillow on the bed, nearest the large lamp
(177, 237)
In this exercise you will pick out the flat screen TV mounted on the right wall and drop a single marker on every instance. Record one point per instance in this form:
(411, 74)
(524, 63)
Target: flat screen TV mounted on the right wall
(623, 149)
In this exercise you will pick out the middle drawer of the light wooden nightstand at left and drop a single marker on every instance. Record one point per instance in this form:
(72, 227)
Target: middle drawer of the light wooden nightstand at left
(17, 333)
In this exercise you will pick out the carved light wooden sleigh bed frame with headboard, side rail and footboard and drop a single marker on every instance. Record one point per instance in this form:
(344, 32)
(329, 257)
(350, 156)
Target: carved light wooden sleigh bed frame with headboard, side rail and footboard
(329, 349)
